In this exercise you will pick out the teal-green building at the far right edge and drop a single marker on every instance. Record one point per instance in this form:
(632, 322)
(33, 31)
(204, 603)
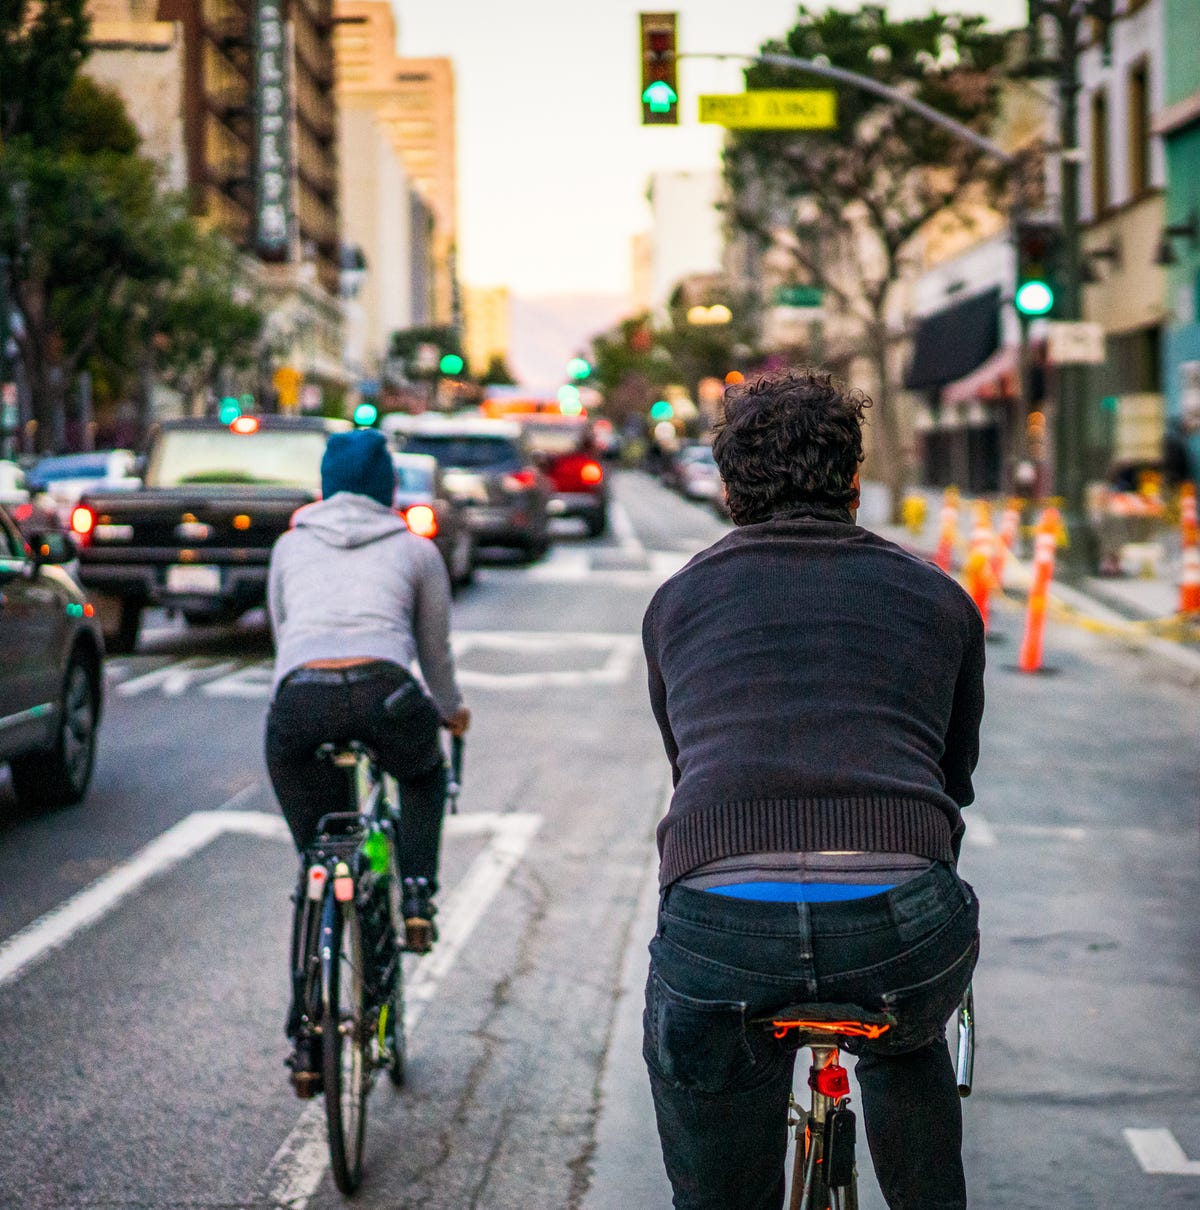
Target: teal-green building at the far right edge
(1179, 125)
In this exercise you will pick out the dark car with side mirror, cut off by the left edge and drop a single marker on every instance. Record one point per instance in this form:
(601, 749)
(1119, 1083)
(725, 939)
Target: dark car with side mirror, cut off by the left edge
(51, 681)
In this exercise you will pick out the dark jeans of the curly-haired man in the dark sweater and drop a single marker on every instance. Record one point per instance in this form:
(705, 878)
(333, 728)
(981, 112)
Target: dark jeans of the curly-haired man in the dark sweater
(722, 1086)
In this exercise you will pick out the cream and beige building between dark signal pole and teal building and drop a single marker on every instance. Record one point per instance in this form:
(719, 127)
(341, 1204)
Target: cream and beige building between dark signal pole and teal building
(1123, 211)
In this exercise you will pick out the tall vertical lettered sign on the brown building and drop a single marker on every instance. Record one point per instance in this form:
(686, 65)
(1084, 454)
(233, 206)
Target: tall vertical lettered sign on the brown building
(273, 107)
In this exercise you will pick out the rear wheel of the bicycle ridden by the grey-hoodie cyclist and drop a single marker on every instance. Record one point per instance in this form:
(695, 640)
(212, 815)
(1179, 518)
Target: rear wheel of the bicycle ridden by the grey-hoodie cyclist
(345, 1042)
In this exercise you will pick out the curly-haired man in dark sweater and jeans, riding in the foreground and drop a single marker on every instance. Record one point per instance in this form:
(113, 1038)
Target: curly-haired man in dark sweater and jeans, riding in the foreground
(820, 693)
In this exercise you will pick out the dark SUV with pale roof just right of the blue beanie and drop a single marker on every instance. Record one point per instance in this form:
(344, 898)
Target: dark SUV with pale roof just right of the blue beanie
(488, 469)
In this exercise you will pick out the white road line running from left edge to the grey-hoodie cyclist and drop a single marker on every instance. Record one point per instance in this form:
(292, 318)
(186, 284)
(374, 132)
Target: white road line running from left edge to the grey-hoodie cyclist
(61, 924)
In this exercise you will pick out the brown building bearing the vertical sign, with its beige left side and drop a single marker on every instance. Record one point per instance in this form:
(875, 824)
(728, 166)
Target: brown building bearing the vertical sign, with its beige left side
(238, 105)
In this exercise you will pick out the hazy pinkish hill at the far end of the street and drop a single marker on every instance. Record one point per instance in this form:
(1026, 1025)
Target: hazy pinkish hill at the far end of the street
(549, 331)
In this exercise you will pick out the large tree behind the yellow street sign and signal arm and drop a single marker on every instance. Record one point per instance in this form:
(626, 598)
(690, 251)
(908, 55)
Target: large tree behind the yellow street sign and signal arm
(846, 205)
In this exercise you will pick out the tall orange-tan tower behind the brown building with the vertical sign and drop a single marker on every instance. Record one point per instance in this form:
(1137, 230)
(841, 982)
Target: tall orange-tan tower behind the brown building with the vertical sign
(414, 102)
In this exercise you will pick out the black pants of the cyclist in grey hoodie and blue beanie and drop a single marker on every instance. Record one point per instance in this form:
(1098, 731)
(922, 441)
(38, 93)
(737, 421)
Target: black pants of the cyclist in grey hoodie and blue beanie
(314, 707)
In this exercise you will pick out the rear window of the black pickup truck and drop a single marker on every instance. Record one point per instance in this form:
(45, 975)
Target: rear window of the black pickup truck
(268, 458)
